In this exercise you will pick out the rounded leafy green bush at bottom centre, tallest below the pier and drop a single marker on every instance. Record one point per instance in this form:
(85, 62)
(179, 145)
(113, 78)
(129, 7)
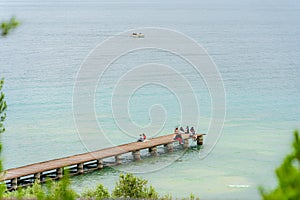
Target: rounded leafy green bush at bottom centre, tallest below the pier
(130, 186)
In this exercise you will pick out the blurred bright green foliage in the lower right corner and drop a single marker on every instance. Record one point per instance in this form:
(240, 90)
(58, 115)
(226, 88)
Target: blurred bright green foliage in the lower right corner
(288, 175)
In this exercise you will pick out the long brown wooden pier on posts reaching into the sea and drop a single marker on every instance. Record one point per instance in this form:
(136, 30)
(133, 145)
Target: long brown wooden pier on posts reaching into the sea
(81, 163)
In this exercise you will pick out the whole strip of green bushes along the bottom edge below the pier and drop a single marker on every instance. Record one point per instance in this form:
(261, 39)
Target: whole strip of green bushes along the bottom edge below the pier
(127, 187)
